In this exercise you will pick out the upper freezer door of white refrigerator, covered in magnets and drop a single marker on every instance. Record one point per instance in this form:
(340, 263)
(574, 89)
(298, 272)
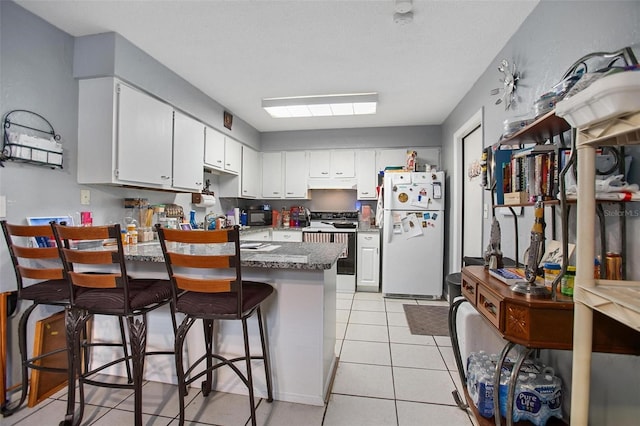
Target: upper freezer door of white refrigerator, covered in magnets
(414, 191)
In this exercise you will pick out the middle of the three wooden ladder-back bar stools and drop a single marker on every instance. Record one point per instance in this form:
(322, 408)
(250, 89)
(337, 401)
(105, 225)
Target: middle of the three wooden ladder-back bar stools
(95, 291)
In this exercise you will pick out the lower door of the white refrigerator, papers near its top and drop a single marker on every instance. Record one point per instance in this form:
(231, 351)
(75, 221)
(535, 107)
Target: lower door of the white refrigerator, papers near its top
(412, 253)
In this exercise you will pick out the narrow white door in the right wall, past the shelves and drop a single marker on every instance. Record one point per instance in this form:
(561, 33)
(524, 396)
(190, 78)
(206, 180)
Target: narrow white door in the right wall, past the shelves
(472, 194)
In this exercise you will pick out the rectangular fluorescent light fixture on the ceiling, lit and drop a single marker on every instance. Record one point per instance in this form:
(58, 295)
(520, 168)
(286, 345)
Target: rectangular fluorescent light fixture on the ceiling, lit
(322, 105)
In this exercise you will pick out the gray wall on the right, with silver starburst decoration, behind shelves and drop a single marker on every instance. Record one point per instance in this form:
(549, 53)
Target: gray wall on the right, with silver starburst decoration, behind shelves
(555, 35)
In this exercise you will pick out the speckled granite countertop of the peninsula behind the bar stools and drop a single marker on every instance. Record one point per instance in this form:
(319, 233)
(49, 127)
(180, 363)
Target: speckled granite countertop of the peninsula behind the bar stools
(280, 255)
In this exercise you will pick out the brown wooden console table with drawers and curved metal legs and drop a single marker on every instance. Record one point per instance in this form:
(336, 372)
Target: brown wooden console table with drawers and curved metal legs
(531, 323)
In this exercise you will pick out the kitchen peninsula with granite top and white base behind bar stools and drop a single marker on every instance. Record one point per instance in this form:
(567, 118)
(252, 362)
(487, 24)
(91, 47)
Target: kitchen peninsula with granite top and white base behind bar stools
(300, 318)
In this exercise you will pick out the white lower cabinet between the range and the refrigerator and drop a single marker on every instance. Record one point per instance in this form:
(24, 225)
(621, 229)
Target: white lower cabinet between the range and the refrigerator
(368, 263)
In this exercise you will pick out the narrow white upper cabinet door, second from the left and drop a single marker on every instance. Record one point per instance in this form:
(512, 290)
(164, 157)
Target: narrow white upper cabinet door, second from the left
(188, 147)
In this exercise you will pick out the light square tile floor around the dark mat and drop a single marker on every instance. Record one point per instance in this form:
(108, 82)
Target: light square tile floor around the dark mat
(386, 376)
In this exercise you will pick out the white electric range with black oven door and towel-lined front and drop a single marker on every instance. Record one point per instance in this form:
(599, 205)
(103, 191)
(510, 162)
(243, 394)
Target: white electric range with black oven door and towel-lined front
(337, 227)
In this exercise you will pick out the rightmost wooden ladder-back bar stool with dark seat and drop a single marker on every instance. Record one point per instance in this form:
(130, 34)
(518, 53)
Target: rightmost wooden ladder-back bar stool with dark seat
(215, 292)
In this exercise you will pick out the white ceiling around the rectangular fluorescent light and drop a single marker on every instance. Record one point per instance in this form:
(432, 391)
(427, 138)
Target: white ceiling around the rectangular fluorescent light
(240, 51)
